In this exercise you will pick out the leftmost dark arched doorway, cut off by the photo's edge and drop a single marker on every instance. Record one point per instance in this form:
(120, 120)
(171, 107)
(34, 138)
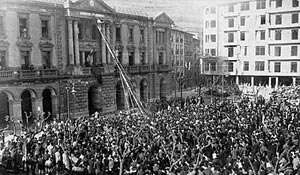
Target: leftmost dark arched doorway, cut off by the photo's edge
(4, 109)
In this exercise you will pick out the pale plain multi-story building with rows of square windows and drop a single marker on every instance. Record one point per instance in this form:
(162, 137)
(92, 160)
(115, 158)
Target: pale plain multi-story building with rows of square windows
(254, 41)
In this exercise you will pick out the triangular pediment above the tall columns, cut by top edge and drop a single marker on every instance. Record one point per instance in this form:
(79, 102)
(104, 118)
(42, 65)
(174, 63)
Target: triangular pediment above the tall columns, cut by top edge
(93, 5)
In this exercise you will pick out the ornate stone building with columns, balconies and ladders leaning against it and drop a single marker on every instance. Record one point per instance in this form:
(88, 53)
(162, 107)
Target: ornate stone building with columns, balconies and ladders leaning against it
(49, 49)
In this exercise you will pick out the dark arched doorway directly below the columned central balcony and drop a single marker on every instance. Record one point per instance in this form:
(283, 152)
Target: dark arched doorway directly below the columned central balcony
(95, 99)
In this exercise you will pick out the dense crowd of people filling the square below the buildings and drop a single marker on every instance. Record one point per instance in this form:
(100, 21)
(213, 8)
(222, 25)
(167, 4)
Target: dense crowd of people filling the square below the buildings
(178, 137)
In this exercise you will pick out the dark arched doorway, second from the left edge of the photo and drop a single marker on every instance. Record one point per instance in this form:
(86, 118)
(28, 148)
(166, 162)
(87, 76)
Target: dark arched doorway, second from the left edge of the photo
(26, 107)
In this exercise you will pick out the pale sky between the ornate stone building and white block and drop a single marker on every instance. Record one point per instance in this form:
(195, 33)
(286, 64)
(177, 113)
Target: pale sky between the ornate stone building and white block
(185, 13)
